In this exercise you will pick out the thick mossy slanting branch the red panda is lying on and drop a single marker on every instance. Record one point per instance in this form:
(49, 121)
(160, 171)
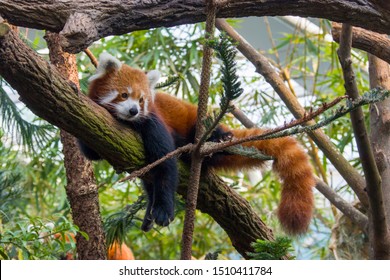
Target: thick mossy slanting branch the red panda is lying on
(46, 93)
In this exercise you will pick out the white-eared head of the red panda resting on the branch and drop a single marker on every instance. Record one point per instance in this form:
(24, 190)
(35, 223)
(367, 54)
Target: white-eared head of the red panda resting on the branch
(125, 91)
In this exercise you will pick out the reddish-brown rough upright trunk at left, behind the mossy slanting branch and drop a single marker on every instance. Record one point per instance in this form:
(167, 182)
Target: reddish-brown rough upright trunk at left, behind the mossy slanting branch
(81, 188)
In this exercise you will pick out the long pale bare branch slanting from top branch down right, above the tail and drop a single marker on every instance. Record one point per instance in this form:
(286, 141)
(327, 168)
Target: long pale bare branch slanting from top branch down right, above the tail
(353, 178)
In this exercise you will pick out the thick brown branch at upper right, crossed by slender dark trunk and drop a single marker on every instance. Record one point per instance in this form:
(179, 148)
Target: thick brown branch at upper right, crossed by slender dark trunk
(371, 42)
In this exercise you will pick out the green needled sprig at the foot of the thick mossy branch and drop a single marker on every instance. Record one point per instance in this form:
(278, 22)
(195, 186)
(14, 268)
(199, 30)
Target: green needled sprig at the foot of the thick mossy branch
(271, 250)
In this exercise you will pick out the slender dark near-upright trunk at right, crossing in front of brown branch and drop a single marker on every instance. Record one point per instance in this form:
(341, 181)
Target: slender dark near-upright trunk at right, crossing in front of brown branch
(373, 179)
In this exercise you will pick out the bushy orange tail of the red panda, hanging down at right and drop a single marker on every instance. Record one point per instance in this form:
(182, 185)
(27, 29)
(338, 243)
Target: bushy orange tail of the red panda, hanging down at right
(292, 165)
